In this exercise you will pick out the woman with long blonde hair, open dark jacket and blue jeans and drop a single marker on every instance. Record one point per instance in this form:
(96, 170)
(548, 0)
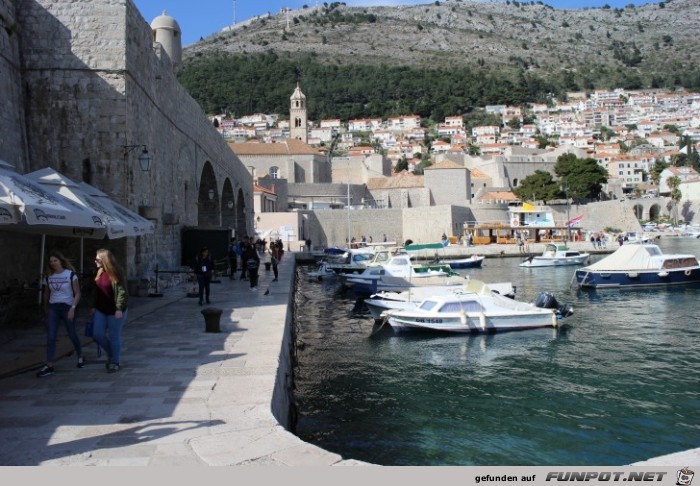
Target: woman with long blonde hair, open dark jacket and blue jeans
(109, 307)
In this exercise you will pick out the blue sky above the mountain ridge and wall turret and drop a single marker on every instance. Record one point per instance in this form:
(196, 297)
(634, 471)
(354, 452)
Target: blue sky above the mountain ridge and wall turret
(200, 18)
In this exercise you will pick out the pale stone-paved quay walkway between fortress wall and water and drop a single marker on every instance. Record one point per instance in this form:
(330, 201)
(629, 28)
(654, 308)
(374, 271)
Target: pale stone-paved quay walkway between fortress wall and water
(186, 395)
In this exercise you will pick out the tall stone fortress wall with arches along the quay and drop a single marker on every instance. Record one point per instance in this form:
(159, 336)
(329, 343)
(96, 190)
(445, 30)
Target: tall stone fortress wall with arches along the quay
(85, 80)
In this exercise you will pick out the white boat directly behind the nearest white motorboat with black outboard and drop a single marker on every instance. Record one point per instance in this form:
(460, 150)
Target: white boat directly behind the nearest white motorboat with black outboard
(383, 301)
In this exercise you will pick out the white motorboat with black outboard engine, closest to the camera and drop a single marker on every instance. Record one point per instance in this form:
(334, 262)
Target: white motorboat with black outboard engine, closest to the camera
(476, 312)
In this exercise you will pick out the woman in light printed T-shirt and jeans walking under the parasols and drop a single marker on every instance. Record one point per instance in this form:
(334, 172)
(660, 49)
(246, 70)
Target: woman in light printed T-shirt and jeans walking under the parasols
(61, 295)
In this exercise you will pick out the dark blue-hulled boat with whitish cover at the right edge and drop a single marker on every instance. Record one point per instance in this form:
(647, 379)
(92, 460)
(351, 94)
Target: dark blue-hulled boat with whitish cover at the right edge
(641, 265)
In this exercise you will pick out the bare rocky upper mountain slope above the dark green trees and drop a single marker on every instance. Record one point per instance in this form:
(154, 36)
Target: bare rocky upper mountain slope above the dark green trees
(654, 45)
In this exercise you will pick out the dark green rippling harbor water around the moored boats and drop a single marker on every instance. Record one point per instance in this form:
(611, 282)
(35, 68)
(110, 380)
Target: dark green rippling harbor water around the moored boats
(619, 382)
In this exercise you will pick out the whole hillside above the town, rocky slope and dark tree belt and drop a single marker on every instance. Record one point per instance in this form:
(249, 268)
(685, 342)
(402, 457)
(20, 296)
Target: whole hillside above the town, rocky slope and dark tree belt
(528, 50)
